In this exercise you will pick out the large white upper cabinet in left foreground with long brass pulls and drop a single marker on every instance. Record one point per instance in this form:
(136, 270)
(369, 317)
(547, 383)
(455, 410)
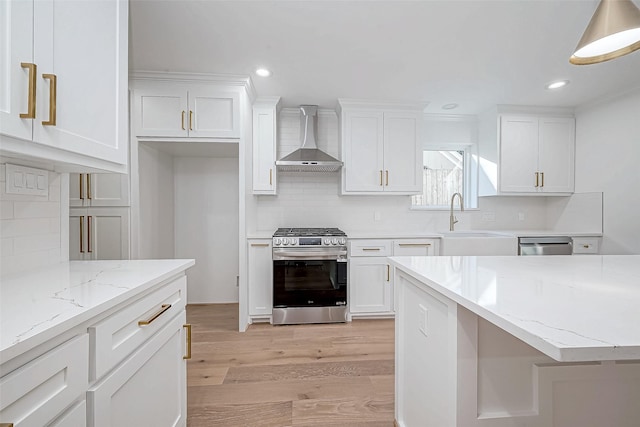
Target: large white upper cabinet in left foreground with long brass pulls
(66, 87)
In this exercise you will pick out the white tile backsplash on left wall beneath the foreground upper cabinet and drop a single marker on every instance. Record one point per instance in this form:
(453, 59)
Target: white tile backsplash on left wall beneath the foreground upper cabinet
(32, 228)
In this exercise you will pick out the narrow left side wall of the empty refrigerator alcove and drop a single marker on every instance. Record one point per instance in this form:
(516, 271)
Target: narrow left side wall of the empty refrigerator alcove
(156, 230)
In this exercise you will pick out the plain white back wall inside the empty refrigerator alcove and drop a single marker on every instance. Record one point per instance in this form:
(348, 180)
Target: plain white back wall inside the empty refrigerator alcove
(206, 225)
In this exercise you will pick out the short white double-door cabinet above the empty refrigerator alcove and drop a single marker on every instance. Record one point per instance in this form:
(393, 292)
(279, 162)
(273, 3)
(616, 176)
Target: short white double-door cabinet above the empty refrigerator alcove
(165, 109)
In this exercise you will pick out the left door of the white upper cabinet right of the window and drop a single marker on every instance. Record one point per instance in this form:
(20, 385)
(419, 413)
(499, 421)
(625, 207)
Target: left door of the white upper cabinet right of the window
(518, 154)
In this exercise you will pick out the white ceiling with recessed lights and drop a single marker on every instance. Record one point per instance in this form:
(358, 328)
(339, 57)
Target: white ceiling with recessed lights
(474, 53)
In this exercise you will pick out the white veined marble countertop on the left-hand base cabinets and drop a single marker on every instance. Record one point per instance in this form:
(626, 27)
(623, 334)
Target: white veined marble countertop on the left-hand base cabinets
(39, 305)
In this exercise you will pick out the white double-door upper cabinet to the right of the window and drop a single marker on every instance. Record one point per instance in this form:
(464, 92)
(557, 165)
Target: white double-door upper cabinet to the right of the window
(529, 154)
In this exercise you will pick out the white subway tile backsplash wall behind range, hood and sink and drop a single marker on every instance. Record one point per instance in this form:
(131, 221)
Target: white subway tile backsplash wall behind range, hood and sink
(313, 199)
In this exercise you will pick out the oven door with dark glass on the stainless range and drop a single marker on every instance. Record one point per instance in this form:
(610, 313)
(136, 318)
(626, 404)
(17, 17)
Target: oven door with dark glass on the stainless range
(309, 280)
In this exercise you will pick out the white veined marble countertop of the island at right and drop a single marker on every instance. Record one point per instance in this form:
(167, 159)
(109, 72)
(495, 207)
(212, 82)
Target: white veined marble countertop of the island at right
(571, 308)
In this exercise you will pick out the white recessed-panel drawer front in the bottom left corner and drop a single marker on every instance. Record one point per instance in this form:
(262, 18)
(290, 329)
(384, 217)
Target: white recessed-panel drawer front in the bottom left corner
(49, 383)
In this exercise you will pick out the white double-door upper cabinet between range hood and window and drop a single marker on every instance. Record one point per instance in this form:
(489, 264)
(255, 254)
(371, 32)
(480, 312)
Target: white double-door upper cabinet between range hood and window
(380, 148)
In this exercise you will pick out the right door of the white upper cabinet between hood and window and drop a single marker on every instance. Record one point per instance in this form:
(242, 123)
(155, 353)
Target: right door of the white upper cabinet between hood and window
(402, 162)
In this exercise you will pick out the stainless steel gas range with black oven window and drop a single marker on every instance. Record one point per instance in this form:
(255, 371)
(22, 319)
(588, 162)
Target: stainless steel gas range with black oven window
(309, 276)
